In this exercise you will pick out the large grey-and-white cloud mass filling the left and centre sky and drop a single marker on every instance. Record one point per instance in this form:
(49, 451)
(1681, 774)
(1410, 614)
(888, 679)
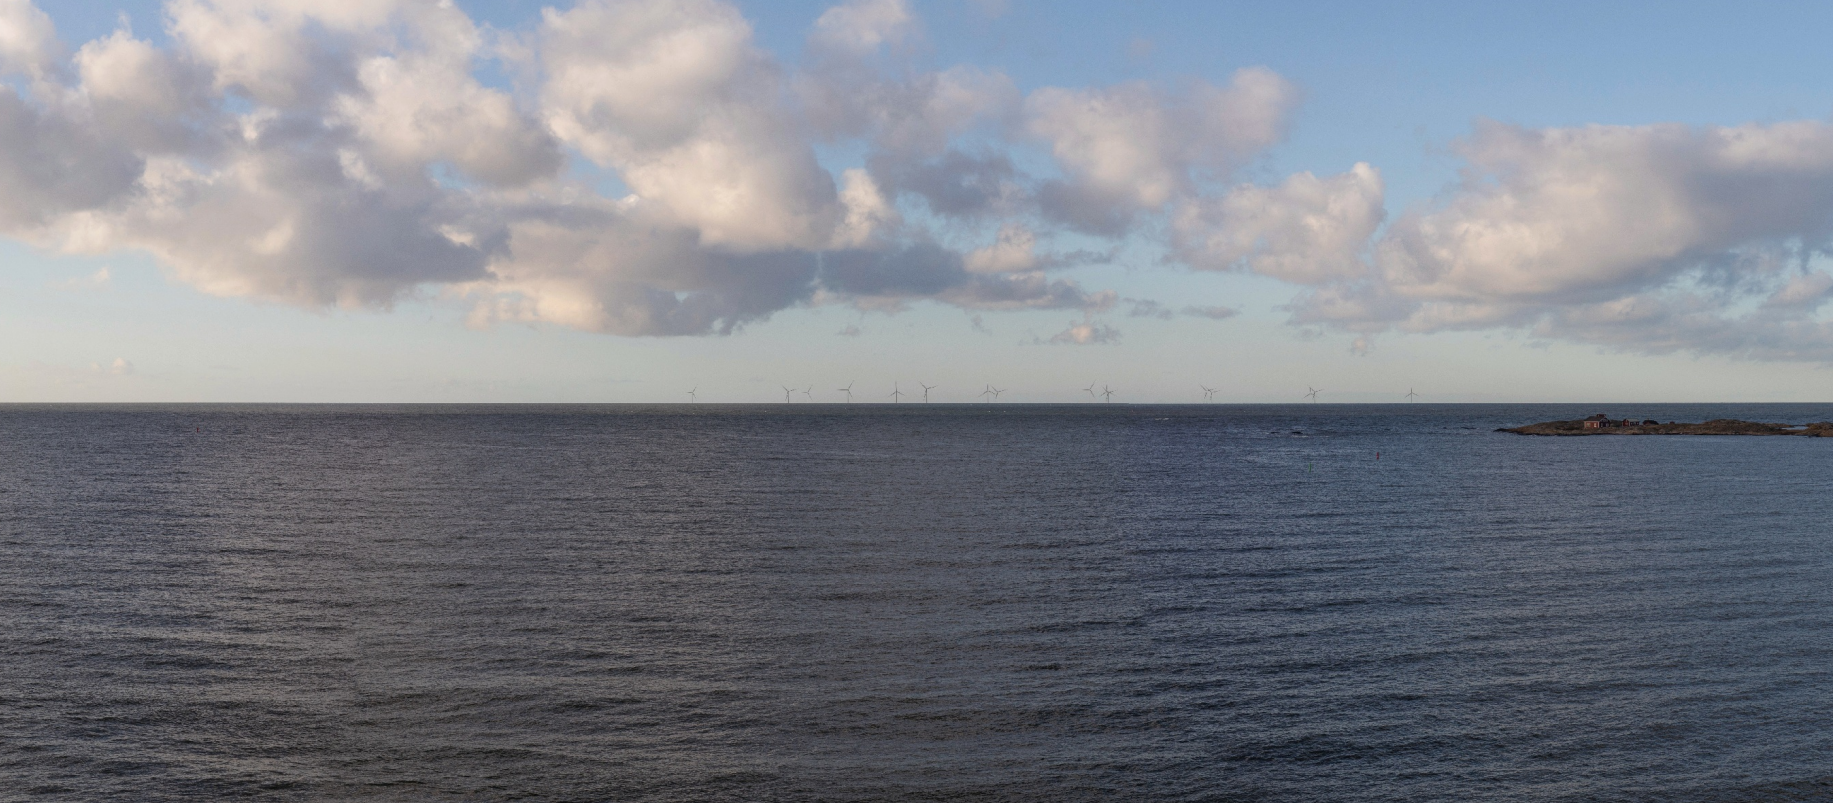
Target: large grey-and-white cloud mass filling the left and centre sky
(346, 153)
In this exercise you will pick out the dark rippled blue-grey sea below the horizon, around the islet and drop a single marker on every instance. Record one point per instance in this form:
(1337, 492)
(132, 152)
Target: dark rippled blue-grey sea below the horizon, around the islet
(888, 604)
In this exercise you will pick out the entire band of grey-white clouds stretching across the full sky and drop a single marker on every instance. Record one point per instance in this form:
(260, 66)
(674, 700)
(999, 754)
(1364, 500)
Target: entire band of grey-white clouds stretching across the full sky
(652, 171)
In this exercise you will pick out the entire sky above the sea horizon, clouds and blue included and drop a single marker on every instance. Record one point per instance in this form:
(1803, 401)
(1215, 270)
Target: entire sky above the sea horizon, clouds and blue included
(626, 201)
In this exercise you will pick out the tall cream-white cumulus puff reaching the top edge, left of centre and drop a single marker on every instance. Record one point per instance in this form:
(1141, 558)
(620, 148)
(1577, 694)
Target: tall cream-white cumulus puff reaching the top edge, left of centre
(686, 109)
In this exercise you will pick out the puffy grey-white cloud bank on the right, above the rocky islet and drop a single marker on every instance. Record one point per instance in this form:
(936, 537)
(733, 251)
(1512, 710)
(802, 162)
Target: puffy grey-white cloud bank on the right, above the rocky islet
(1652, 239)
